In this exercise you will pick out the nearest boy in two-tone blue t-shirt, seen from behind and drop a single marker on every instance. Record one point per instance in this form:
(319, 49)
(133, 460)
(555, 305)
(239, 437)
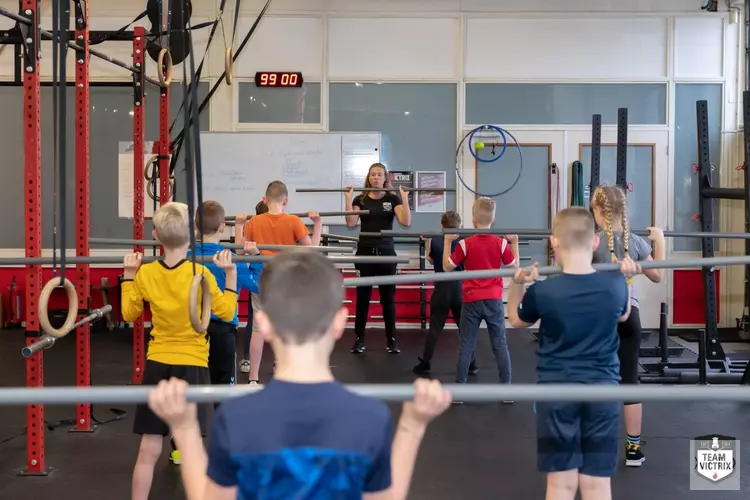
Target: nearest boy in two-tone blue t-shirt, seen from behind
(304, 435)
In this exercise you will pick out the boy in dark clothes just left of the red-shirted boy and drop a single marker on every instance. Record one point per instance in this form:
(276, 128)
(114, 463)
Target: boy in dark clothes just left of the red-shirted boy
(446, 297)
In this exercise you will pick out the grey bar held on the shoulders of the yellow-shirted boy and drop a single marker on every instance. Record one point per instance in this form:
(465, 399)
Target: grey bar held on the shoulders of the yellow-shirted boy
(203, 259)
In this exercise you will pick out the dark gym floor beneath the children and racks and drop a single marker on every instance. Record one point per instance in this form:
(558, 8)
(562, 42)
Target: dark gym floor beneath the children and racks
(478, 451)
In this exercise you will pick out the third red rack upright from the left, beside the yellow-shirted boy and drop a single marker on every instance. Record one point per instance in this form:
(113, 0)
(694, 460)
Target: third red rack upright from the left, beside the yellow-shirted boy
(139, 118)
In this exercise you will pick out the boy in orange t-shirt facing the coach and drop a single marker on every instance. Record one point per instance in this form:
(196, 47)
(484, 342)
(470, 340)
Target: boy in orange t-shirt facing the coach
(273, 228)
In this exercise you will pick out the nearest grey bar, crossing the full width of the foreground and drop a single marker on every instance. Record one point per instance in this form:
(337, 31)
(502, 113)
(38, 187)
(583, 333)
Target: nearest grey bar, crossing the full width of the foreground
(479, 393)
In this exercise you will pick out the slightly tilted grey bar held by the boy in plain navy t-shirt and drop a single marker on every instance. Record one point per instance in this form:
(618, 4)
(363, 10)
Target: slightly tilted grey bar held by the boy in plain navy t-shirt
(508, 272)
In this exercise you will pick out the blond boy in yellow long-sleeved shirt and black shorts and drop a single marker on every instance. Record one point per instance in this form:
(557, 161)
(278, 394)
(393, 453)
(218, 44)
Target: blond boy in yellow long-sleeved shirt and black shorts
(175, 350)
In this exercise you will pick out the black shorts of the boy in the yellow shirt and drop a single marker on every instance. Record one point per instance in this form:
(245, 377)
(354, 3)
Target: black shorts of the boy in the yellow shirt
(146, 422)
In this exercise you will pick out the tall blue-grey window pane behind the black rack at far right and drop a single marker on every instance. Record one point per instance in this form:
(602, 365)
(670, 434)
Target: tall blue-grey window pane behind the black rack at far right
(686, 180)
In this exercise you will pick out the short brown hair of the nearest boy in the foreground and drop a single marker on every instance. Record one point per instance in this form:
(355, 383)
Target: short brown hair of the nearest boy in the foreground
(301, 292)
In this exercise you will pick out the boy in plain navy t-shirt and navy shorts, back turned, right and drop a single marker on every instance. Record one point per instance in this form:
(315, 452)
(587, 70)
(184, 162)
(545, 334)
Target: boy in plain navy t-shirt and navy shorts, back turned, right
(577, 443)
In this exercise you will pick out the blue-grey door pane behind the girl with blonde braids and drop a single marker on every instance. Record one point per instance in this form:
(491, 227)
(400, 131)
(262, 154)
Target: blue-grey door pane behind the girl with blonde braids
(640, 180)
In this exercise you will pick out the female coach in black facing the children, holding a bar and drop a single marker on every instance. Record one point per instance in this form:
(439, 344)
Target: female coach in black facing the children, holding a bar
(383, 206)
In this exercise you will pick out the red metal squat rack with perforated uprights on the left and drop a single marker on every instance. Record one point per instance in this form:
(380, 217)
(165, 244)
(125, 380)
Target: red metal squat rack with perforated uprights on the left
(35, 461)
